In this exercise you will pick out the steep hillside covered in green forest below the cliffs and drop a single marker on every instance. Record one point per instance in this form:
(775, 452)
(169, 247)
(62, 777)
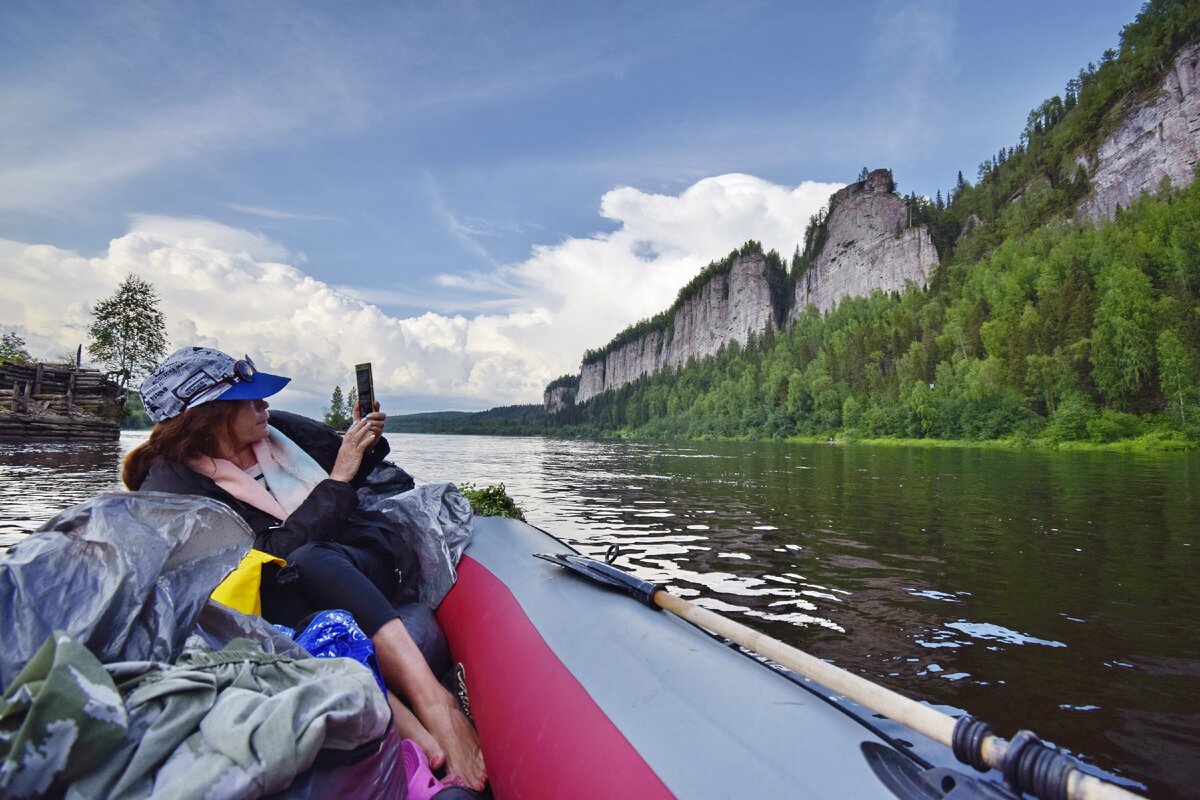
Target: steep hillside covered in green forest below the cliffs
(1037, 324)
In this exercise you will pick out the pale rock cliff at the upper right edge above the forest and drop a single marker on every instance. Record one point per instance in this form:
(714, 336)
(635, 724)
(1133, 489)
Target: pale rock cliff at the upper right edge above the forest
(1159, 140)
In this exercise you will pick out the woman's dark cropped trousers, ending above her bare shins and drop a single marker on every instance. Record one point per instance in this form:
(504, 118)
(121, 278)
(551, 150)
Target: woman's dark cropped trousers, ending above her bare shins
(358, 578)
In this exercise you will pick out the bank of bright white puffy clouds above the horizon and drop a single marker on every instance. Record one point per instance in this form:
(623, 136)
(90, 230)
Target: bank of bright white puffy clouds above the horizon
(242, 292)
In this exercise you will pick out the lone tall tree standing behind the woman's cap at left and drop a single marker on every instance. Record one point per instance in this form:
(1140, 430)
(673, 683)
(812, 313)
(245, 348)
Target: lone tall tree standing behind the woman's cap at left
(128, 333)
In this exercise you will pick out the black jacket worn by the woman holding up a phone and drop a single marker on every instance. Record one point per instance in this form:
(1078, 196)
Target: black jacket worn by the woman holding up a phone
(331, 513)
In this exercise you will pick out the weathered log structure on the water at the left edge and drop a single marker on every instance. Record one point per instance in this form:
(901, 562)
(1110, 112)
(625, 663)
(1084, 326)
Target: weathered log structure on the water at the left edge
(58, 402)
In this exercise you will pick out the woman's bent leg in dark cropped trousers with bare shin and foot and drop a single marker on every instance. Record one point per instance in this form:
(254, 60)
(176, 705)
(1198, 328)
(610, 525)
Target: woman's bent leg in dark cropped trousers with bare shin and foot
(356, 579)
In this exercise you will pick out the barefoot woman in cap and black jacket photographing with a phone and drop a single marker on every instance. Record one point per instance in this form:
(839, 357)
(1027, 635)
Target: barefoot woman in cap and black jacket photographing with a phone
(295, 485)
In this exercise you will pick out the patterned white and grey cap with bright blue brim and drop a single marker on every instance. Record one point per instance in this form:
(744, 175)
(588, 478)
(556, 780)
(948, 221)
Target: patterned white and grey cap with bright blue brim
(194, 376)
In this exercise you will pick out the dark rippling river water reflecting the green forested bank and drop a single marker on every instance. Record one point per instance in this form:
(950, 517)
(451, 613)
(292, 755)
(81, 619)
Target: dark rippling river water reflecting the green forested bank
(1051, 591)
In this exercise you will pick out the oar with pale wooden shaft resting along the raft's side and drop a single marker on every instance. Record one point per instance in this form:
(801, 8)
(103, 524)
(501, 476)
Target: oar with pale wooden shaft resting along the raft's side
(1028, 765)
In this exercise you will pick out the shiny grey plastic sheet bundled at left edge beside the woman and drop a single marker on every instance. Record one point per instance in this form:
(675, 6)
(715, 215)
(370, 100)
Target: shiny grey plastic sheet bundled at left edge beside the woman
(124, 574)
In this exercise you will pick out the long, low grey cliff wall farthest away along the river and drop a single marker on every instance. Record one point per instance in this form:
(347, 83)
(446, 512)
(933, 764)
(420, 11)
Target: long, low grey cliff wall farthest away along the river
(729, 308)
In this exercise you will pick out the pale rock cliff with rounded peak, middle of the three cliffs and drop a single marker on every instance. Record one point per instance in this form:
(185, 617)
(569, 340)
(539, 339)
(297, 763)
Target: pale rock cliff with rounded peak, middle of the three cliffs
(869, 246)
